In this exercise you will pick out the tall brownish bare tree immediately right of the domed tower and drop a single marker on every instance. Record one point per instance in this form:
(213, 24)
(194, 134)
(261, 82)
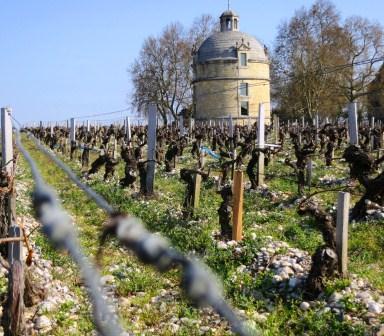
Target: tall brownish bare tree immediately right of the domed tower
(306, 48)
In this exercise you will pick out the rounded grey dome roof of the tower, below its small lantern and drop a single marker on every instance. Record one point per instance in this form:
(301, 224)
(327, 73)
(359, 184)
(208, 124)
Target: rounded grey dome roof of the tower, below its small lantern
(222, 46)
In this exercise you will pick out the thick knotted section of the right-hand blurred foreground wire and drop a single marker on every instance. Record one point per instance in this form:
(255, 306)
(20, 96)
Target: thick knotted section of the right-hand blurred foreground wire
(198, 282)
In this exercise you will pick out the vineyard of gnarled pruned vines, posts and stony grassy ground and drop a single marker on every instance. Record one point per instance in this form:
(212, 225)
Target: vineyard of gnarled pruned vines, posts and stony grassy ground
(295, 240)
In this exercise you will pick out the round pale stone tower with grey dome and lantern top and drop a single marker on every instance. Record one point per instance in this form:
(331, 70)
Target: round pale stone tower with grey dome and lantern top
(231, 74)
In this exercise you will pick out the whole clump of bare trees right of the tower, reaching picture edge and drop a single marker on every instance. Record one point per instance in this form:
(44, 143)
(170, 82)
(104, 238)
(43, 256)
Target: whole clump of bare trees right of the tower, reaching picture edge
(320, 63)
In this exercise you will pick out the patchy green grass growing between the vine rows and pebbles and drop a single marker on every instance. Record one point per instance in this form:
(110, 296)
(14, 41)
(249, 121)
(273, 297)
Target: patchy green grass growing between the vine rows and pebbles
(163, 214)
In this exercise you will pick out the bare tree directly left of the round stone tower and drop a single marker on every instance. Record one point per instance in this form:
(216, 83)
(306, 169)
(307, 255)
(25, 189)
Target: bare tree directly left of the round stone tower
(162, 73)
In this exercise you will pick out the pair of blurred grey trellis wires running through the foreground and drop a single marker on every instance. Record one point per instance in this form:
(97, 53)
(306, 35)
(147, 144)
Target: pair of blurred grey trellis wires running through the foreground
(198, 281)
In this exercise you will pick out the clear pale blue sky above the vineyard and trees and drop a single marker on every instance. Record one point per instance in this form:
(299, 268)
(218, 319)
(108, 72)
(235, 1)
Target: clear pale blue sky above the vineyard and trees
(67, 58)
